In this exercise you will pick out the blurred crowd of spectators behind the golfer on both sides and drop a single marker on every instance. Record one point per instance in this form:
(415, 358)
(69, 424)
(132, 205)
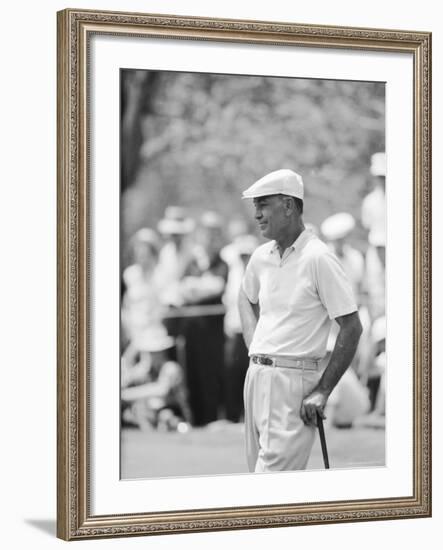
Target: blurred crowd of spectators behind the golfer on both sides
(183, 359)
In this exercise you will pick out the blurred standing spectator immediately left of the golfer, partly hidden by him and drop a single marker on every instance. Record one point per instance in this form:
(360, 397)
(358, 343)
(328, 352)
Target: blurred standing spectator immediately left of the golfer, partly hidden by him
(237, 359)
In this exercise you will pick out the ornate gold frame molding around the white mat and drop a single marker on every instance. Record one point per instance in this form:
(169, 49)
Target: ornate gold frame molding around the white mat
(75, 27)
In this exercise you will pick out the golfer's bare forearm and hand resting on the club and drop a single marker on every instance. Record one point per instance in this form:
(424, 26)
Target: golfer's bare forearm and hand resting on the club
(341, 357)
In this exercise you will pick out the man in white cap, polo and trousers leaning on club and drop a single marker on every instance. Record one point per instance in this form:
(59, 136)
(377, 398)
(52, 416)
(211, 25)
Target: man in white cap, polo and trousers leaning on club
(292, 291)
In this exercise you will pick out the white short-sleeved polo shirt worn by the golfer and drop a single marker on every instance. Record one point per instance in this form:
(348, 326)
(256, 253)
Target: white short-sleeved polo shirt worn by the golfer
(299, 296)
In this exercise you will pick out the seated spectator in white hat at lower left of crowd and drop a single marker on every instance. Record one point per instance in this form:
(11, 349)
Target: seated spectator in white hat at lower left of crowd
(153, 391)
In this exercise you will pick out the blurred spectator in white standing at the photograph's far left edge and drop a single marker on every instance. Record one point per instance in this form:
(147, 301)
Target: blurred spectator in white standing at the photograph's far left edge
(141, 307)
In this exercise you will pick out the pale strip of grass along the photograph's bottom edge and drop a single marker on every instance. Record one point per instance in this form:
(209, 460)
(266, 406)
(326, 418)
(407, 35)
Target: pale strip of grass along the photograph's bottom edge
(219, 449)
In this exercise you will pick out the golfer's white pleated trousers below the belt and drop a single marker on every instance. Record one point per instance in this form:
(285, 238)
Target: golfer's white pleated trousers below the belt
(276, 437)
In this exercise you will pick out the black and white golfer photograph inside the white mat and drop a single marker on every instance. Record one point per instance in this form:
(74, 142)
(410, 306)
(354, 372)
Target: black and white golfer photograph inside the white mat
(252, 271)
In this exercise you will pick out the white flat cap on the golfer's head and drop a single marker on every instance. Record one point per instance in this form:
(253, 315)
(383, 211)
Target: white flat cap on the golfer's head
(284, 182)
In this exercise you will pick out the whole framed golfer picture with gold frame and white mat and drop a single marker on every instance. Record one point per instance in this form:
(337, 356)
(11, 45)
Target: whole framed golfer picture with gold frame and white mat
(227, 363)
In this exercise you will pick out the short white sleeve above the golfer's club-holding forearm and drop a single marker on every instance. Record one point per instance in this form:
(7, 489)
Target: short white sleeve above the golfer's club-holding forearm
(333, 286)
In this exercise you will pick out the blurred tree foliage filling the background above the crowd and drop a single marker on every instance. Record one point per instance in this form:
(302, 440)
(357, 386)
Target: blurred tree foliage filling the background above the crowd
(198, 140)
